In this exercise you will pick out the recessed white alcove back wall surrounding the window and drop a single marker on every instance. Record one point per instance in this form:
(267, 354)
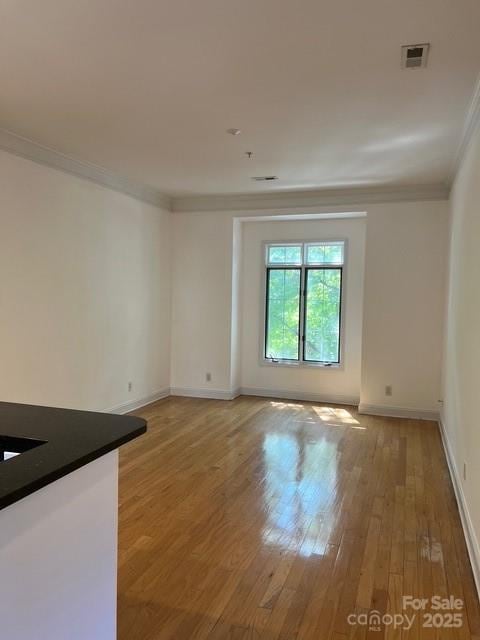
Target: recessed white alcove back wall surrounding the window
(342, 384)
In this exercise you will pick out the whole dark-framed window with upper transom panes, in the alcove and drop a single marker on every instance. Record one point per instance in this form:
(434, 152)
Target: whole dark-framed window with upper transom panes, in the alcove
(303, 302)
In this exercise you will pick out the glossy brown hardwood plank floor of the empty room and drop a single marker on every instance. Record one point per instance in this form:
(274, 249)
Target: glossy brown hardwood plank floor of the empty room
(278, 520)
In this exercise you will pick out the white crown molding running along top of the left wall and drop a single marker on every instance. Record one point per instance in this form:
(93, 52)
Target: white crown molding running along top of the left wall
(12, 143)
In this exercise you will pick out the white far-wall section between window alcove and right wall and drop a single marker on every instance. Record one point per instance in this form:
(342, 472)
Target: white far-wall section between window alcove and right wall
(405, 274)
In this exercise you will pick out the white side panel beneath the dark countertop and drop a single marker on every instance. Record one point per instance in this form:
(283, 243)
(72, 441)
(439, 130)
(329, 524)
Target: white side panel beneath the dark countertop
(58, 558)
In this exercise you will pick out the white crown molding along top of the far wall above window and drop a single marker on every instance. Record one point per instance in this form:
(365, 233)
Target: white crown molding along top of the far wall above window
(309, 198)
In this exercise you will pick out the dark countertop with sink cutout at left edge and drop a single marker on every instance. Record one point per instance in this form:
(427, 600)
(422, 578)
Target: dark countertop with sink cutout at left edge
(71, 439)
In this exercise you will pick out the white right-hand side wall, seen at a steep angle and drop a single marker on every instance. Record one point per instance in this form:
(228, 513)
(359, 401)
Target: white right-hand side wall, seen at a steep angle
(462, 345)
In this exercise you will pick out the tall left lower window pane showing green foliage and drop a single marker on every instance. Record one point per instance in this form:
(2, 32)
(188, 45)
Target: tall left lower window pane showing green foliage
(283, 307)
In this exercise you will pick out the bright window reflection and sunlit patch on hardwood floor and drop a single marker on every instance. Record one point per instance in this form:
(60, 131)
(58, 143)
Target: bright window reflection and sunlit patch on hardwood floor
(301, 476)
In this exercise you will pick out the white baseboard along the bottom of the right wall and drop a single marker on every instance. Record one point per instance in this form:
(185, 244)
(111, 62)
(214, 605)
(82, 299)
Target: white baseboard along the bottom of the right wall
(473, 546)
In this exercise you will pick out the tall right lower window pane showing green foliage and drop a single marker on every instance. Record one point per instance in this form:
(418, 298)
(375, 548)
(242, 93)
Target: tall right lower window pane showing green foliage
(322, 316)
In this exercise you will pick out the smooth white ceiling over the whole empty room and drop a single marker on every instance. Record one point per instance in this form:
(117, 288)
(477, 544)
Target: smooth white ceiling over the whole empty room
(147, 88)
